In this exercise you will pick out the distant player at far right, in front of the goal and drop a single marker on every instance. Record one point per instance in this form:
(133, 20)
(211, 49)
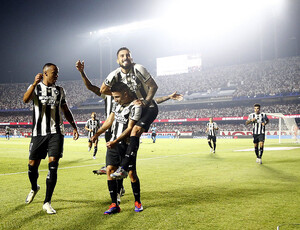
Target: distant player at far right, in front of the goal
(259, 121)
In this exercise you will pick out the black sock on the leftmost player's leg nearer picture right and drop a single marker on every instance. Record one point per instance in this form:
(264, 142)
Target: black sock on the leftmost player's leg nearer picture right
(51, 180)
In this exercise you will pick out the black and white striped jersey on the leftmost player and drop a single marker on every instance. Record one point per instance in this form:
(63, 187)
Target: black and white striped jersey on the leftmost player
(47, 112)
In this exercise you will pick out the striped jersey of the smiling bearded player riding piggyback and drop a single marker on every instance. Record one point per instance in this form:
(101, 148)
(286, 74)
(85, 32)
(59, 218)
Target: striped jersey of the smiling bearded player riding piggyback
(136, 80)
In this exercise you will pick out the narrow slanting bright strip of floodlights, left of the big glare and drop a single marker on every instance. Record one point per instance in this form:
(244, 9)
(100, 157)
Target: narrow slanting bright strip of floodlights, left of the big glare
(126, 28)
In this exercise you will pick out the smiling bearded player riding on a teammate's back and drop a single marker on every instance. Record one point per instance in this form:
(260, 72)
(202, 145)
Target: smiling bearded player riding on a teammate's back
(143, 85)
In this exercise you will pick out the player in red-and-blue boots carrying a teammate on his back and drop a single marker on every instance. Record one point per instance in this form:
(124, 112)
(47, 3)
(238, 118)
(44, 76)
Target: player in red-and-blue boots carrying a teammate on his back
(122, 119)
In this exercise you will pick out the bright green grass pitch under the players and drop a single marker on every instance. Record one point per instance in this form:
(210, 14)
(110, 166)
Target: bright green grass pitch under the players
(183, 186)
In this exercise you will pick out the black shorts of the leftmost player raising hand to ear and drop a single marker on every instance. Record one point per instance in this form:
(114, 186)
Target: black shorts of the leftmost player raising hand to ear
(41, 145)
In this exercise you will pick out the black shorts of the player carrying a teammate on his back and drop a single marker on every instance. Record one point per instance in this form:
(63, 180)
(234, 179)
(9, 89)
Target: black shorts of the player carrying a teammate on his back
(115, 156)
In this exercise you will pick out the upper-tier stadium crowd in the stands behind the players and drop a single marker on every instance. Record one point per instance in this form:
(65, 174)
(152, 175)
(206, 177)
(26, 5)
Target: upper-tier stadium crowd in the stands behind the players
(268, 78)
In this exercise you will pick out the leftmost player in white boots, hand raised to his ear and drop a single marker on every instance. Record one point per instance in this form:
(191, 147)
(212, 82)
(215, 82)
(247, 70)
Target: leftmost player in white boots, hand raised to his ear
(47, 130)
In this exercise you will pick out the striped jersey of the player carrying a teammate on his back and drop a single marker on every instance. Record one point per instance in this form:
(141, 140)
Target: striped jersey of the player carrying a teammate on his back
(122, 116)
